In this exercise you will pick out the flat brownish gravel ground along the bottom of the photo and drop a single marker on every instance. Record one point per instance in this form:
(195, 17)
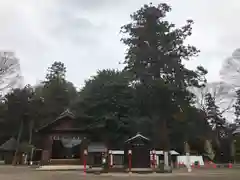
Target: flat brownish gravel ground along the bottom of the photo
(25, 173)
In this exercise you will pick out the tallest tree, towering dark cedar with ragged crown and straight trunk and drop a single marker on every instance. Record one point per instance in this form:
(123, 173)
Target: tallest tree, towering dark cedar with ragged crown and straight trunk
(154, 56)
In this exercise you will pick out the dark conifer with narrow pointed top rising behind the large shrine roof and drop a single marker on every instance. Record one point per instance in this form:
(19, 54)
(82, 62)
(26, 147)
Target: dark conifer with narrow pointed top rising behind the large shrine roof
(57, 92)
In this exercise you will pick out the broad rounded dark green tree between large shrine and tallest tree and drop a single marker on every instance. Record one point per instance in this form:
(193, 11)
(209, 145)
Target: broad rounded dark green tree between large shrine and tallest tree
(106, 100)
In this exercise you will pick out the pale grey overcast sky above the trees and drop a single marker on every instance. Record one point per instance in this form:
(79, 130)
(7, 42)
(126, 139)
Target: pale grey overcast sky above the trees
(84, 34)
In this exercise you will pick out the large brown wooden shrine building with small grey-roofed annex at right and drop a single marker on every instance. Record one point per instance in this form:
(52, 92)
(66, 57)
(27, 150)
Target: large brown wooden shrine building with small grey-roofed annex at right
(61, 142)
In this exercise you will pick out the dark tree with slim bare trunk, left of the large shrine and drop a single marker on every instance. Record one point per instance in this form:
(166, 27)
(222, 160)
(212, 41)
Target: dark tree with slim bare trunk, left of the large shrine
(18, 115)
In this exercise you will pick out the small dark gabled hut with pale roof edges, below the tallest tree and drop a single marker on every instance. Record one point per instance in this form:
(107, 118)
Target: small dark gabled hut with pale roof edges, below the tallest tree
(140, 146)
